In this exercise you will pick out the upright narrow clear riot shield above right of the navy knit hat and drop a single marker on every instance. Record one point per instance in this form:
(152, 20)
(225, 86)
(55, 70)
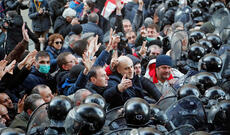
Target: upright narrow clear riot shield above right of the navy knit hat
(179, 43)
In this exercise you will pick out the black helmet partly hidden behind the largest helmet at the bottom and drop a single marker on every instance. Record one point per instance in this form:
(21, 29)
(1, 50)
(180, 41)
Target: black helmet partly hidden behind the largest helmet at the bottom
(97, 99)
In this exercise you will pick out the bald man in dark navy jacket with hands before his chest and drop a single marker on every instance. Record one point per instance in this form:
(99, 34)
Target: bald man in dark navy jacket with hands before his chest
(123, 85)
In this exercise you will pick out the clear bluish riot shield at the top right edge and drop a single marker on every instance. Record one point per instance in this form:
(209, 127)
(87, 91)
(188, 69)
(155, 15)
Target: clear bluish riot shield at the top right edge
(221, 20)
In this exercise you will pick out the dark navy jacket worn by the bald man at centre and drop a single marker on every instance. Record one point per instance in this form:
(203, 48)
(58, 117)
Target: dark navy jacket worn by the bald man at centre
(115, 98)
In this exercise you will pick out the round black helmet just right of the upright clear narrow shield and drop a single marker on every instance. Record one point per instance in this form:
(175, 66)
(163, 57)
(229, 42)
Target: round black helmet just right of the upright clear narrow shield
(195, 52)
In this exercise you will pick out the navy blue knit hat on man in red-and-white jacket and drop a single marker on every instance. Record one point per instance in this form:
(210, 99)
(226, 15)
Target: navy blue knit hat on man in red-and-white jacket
(163, 60)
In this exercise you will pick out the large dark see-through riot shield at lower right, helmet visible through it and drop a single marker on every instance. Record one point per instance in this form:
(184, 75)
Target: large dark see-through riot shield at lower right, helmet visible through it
(188, 110)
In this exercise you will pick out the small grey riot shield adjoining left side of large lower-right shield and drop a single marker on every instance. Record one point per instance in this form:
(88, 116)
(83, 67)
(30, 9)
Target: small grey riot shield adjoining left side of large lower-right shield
(166, 102)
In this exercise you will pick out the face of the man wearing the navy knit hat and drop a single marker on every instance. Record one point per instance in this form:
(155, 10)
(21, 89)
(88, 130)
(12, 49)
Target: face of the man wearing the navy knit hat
(163, 72)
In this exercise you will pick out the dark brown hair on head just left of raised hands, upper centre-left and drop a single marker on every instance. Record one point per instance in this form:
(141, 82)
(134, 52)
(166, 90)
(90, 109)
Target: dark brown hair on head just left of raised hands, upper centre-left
(80, 46)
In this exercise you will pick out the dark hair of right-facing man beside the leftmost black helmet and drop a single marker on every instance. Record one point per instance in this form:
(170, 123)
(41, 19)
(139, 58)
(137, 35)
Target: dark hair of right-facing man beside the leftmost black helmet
(30, 102)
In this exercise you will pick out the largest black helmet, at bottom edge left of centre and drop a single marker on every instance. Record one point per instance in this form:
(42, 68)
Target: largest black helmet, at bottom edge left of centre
(85, 119)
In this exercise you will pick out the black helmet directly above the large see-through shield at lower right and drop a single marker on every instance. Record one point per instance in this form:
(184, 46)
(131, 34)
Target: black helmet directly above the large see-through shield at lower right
(187, 90)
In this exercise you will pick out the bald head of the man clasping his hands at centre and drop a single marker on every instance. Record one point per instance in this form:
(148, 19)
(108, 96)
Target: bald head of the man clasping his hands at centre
(125, 66)
